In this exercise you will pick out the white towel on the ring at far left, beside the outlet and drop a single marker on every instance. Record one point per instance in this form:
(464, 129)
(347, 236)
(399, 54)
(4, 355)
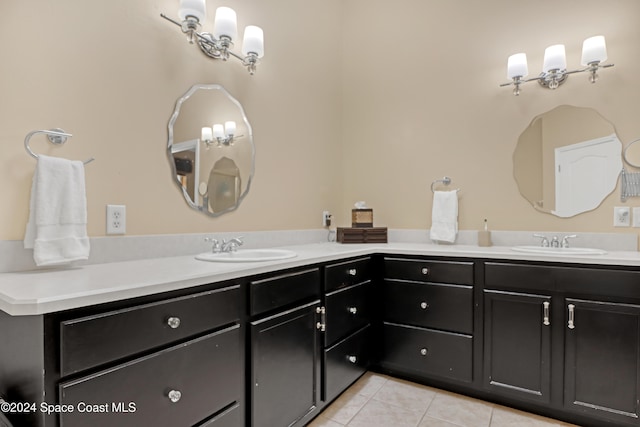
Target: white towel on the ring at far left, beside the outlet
(57, 227)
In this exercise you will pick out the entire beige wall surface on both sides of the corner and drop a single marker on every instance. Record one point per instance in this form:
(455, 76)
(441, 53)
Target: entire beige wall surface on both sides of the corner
(354, 100)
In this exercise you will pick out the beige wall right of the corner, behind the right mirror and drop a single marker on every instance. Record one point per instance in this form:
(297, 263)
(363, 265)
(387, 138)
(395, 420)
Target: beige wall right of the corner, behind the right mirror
(421, 100)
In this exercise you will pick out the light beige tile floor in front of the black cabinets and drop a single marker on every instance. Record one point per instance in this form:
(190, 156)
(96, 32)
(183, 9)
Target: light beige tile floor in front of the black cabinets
(380, 401)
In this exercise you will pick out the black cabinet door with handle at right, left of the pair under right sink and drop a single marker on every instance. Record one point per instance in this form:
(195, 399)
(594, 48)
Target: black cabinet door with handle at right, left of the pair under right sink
(517, 345)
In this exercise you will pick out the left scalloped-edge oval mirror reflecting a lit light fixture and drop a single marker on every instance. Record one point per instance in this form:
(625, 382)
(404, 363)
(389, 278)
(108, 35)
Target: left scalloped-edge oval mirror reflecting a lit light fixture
(211, 149)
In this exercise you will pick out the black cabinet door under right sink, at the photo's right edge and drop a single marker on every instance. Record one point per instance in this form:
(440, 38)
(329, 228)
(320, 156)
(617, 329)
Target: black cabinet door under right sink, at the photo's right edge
(602, 360)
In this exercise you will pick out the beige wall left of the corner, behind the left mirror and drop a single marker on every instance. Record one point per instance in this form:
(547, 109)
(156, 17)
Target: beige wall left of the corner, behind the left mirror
(110, 72)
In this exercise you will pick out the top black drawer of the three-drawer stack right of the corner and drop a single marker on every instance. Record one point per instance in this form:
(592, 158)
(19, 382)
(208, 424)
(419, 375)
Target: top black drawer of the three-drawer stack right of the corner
(456, 272)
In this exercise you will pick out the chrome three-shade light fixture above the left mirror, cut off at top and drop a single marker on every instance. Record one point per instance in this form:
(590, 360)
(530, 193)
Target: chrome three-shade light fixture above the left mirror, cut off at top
(219, 44)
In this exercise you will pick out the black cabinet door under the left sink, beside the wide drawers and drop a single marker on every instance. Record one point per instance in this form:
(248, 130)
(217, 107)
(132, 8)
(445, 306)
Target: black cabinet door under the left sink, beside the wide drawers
(285, 367)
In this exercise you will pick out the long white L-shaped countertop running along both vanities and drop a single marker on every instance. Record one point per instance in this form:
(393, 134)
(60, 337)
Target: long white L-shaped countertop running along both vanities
(44, 291)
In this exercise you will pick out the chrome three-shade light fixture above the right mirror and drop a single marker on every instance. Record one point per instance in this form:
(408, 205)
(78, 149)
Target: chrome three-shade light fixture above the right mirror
(554, 69)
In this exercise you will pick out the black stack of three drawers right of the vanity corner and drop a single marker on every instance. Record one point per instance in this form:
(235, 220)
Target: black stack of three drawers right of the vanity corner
(427, 319)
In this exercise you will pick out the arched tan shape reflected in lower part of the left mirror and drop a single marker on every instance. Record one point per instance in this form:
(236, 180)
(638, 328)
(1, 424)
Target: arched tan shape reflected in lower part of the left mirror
(224, 185)
